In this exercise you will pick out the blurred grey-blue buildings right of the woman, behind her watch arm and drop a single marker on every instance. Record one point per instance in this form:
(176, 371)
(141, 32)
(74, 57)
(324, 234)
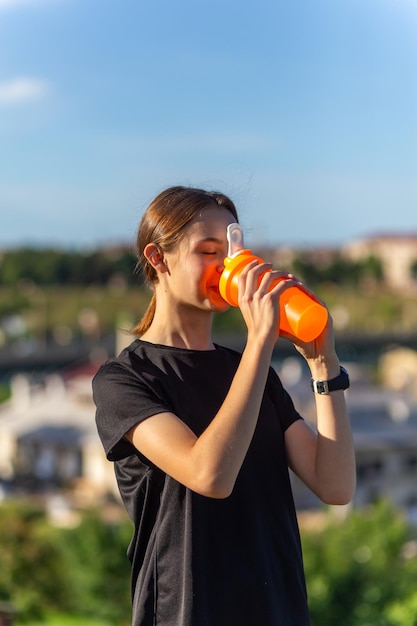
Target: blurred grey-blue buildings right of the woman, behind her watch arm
(384, 424)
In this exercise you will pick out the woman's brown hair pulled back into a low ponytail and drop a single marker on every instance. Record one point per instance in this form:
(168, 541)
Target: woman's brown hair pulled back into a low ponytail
(163, 223)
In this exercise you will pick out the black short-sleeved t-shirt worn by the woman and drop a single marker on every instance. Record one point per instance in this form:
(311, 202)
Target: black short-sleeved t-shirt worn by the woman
(199, 561)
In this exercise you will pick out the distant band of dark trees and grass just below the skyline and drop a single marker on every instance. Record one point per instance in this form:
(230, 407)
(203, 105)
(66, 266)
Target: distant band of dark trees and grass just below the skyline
(45, 291)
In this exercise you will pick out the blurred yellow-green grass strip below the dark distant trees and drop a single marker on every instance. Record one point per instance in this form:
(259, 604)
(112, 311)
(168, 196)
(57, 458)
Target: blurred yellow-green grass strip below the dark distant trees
(371, 310)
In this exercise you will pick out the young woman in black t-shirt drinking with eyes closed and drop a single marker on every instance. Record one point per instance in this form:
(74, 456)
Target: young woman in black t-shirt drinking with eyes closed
(202, 436)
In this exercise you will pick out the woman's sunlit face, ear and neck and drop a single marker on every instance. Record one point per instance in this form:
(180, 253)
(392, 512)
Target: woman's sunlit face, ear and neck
(188, 282)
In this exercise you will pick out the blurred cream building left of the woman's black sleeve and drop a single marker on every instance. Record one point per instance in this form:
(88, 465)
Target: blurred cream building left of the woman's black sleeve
(49, 441)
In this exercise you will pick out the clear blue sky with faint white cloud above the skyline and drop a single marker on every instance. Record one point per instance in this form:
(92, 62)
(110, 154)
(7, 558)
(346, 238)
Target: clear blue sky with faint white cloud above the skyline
(304, 112)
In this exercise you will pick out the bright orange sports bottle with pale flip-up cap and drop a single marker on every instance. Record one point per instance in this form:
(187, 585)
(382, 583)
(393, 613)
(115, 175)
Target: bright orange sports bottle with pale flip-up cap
(300, 315)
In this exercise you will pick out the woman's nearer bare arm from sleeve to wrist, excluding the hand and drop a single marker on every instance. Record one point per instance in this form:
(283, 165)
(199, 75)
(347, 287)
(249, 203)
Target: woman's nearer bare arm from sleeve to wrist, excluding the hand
(209, 464)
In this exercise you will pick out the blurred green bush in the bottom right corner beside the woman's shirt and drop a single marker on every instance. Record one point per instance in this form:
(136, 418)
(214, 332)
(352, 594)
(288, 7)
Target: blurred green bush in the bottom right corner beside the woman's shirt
(357, 572)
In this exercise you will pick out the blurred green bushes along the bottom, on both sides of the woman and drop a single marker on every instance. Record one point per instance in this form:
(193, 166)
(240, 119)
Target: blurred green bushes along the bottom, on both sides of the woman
(359, 571)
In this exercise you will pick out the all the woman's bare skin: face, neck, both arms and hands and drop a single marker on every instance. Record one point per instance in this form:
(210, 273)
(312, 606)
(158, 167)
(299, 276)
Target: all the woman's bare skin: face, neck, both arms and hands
(187, 295)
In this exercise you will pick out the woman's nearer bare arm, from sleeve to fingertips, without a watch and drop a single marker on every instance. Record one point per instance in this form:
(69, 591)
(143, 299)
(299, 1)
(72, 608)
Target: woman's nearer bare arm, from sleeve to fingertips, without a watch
(209, 464)
